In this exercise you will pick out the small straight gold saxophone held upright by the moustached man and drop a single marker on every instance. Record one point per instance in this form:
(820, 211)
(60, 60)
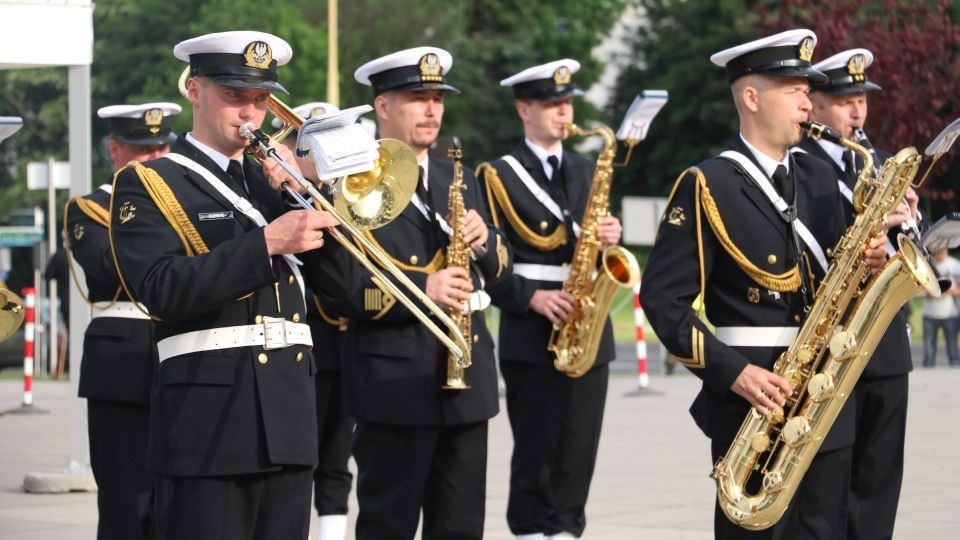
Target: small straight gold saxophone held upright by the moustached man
(458, 254)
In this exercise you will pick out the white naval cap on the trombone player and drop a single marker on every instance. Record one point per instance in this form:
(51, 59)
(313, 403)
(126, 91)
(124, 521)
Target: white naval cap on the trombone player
(239, 59)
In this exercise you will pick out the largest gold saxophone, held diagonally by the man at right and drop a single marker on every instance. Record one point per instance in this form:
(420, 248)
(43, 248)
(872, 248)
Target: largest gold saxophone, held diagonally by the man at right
(843, 327)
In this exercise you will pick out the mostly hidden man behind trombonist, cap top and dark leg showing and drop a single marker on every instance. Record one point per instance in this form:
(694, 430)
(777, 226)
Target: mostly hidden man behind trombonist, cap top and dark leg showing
(332, 478)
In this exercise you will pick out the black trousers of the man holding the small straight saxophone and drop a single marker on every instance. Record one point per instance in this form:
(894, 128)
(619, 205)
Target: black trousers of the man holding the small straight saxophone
(403, 469)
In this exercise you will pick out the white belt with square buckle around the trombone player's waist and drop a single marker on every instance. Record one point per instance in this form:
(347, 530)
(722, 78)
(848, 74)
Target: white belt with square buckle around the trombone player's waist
(273, 333)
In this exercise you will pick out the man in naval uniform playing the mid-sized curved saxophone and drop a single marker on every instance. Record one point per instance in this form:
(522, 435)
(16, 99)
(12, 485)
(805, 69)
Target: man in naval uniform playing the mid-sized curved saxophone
(538, 194)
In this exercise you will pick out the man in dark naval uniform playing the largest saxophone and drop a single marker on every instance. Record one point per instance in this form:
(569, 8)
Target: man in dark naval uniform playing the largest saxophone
(726, 237)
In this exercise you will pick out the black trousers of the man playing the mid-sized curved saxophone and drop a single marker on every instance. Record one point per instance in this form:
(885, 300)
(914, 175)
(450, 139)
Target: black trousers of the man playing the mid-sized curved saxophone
(556, 424)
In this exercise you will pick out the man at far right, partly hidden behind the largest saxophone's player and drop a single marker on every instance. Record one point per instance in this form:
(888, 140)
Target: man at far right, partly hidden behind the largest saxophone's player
(880, 397)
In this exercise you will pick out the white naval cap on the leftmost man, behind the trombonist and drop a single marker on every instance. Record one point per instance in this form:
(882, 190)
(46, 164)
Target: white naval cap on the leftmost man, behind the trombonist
(141, 125)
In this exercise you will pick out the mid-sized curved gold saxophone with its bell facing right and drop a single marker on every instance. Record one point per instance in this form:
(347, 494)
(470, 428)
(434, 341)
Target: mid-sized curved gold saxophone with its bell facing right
(575, 342)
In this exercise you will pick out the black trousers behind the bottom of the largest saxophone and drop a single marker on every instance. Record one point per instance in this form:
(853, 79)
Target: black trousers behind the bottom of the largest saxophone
(818, 510)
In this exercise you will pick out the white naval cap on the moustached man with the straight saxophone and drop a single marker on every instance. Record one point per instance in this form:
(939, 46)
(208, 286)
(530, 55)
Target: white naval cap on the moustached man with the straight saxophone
(419, 68)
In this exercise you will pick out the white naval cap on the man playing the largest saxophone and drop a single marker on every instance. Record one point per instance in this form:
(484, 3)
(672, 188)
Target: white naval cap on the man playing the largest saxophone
(786, 54)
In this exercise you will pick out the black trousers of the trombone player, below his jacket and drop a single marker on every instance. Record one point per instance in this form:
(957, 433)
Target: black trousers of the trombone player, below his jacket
(261, 506)
